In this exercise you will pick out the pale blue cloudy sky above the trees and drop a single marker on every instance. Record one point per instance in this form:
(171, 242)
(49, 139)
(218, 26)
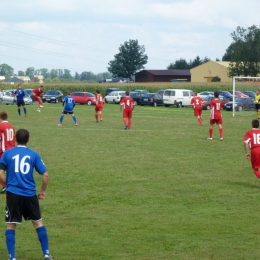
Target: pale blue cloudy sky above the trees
(84, 35)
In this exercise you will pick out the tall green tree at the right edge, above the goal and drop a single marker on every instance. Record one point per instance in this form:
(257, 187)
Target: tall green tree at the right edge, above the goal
(245, 52)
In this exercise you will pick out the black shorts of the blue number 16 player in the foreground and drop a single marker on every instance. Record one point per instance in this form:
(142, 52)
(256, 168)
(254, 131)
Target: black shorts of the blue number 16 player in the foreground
(18, 206)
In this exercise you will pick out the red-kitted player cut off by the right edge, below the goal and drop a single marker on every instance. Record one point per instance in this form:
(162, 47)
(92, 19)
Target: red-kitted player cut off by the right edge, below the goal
(252, 141)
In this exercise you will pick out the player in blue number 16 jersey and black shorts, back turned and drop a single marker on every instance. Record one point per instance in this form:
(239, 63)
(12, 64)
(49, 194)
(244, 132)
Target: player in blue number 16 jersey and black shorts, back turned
(21, 199)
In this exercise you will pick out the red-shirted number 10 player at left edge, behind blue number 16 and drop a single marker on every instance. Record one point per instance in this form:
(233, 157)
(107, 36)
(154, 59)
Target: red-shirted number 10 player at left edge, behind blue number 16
(7, 137)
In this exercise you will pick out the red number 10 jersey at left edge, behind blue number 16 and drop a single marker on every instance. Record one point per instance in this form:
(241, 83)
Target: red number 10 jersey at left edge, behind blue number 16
(7, 137)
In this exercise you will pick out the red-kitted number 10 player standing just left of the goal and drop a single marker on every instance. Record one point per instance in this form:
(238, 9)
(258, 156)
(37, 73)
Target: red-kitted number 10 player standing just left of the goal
(215, 116)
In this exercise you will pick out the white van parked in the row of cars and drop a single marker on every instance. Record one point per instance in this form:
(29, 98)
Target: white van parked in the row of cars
(177, 97)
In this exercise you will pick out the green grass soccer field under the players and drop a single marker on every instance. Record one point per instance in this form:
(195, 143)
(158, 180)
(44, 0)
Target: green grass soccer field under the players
(160, 191)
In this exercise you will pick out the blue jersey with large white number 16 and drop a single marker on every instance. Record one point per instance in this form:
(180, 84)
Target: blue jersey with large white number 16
(20, 163)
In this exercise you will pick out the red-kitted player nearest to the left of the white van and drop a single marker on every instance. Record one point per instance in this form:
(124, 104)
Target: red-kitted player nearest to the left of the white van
(128, 104)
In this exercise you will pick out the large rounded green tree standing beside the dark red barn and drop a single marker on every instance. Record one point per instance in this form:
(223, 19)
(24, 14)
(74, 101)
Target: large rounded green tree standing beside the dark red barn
(130, 59)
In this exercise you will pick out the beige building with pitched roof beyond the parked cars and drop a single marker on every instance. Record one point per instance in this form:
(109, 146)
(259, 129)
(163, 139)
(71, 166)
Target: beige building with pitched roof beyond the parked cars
(209, 70)
